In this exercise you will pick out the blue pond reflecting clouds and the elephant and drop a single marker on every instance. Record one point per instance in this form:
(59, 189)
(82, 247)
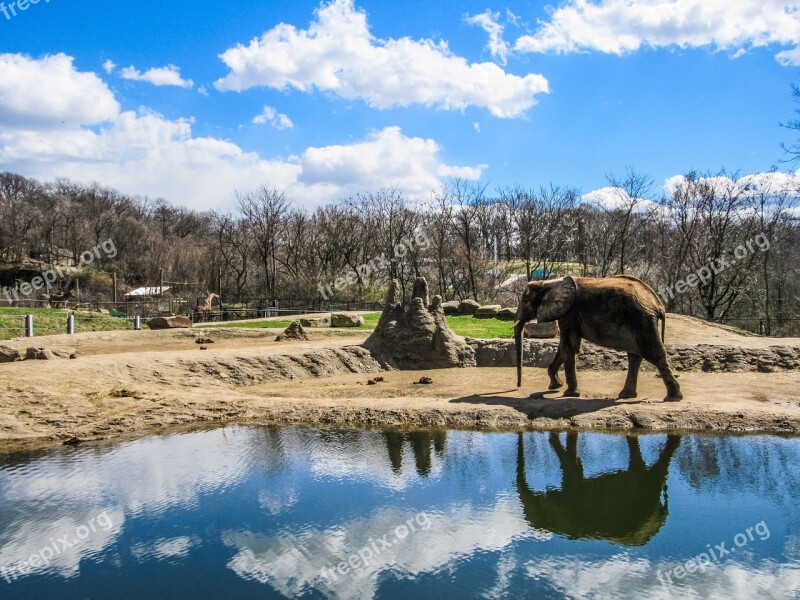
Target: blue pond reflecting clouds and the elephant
(274, 512)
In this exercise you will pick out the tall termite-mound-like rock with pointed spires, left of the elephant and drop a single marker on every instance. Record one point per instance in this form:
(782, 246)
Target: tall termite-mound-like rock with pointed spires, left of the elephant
(417, 337)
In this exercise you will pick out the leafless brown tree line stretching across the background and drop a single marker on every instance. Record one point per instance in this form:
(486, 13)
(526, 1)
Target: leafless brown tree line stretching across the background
(715, 245)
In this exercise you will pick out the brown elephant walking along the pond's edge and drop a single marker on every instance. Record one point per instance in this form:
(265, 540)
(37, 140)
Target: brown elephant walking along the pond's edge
(620, 312)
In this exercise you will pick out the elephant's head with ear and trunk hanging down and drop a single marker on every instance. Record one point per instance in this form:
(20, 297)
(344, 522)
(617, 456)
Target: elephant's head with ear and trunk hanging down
(544, 301)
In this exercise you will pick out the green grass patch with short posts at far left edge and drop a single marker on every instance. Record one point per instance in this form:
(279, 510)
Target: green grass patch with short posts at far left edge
(48, 321)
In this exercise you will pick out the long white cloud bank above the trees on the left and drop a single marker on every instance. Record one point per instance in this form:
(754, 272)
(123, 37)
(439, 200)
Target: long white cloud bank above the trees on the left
(201, 172)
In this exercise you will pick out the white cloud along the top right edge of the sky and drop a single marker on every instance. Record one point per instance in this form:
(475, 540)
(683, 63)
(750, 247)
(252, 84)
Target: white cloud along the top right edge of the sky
(622, 26)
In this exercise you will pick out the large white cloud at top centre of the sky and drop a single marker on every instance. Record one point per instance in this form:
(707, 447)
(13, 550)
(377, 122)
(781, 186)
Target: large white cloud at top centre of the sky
(338, 54)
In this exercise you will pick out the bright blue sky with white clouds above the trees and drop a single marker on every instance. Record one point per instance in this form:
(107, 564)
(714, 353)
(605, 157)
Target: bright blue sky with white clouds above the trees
(356, 95)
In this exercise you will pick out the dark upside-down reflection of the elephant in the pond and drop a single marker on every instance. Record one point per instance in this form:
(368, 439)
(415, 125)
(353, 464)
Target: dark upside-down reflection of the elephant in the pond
(625, 507)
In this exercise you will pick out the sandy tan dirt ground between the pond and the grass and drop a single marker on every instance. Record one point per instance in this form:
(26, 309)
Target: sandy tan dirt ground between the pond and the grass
(129, 383)
